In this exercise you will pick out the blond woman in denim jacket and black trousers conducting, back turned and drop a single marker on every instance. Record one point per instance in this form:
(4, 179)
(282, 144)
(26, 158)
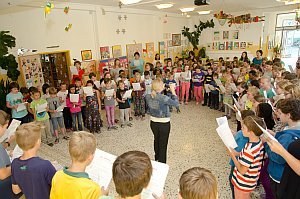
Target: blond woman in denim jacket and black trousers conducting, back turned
(158, 106)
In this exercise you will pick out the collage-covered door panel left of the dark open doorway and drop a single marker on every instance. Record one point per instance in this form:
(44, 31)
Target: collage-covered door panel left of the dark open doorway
(32, 70)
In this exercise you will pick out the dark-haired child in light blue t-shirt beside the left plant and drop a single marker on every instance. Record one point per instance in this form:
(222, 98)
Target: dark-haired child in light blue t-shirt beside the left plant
(13, 100)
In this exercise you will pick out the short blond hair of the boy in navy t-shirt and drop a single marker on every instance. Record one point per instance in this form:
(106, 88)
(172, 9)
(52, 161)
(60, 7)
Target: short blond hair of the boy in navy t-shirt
(27, 135)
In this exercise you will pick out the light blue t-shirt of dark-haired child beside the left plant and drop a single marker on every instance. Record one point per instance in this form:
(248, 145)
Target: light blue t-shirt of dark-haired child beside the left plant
(15, 99)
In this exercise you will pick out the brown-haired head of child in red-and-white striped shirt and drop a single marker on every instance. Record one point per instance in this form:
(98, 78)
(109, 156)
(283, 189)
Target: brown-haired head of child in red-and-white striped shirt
(250, 128)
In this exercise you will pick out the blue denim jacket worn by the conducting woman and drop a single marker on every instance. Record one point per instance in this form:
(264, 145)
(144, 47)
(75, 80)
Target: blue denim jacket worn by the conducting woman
(159, 106)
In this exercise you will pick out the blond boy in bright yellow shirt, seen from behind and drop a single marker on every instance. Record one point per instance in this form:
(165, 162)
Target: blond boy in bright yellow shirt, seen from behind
(74, 182)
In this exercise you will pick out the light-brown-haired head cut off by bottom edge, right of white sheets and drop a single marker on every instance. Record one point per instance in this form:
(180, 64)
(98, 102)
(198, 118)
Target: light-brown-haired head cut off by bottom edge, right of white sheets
(198, 183)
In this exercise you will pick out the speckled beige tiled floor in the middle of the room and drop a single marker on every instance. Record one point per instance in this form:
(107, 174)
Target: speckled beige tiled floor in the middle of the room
(193, 142)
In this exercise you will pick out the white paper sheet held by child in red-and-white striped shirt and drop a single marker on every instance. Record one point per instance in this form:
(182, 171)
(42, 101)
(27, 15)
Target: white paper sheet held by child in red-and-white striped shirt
(226, 135)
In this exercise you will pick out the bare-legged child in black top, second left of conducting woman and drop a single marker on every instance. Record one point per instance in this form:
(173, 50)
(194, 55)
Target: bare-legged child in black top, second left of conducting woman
(123, 105)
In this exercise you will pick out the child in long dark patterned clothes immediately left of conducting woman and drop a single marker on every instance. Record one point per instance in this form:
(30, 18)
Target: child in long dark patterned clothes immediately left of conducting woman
(139, 98)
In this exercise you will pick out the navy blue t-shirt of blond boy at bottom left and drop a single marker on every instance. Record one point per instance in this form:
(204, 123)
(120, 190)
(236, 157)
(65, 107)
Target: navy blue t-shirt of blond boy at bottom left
(33, 176)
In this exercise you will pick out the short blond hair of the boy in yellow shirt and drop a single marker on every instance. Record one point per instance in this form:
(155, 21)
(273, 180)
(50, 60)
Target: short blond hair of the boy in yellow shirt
(81, 145)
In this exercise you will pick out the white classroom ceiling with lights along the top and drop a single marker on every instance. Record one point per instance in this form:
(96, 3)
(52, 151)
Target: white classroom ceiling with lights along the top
(215, 5)
